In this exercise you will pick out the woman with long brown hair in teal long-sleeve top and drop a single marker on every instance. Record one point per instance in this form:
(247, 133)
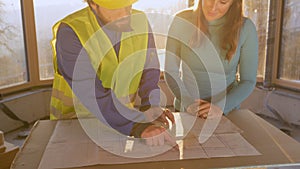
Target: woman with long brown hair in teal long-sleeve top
(211, 44)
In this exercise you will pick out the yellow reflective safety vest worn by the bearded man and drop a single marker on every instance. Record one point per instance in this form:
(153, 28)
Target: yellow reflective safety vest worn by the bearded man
(122, 74)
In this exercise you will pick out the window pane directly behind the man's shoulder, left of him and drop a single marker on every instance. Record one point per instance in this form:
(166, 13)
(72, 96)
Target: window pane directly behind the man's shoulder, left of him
(53, 10)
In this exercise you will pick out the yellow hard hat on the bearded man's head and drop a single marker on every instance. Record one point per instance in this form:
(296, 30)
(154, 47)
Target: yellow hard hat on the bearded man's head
(114, 4)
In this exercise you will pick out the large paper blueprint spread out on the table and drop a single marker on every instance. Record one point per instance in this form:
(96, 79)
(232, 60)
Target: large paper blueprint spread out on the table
(85, 142)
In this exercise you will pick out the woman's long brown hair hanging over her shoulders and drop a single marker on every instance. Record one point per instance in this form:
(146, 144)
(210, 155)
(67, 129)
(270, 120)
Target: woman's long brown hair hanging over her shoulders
(229, 34)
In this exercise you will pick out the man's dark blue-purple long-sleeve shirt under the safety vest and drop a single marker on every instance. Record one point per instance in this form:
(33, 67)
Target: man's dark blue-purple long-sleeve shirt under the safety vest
(68, 49)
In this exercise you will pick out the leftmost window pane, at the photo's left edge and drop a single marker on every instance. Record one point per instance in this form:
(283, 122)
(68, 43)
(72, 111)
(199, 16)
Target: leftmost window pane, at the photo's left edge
(13, 66)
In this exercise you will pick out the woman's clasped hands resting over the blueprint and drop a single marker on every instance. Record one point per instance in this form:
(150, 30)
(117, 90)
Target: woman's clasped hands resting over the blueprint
(204, 109)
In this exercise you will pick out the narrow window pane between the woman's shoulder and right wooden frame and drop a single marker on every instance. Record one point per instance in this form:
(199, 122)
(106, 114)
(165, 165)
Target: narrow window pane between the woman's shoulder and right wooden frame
(258, 12)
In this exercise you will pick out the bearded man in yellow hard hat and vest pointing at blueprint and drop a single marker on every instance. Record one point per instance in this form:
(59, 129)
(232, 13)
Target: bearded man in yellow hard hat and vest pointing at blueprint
(107, 50)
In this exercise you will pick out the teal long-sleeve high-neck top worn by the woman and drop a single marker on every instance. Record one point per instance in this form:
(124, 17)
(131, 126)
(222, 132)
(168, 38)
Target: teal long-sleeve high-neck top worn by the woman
(201, 71)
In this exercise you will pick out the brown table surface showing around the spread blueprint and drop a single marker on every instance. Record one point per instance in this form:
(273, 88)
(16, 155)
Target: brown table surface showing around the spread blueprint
(277, 148)
